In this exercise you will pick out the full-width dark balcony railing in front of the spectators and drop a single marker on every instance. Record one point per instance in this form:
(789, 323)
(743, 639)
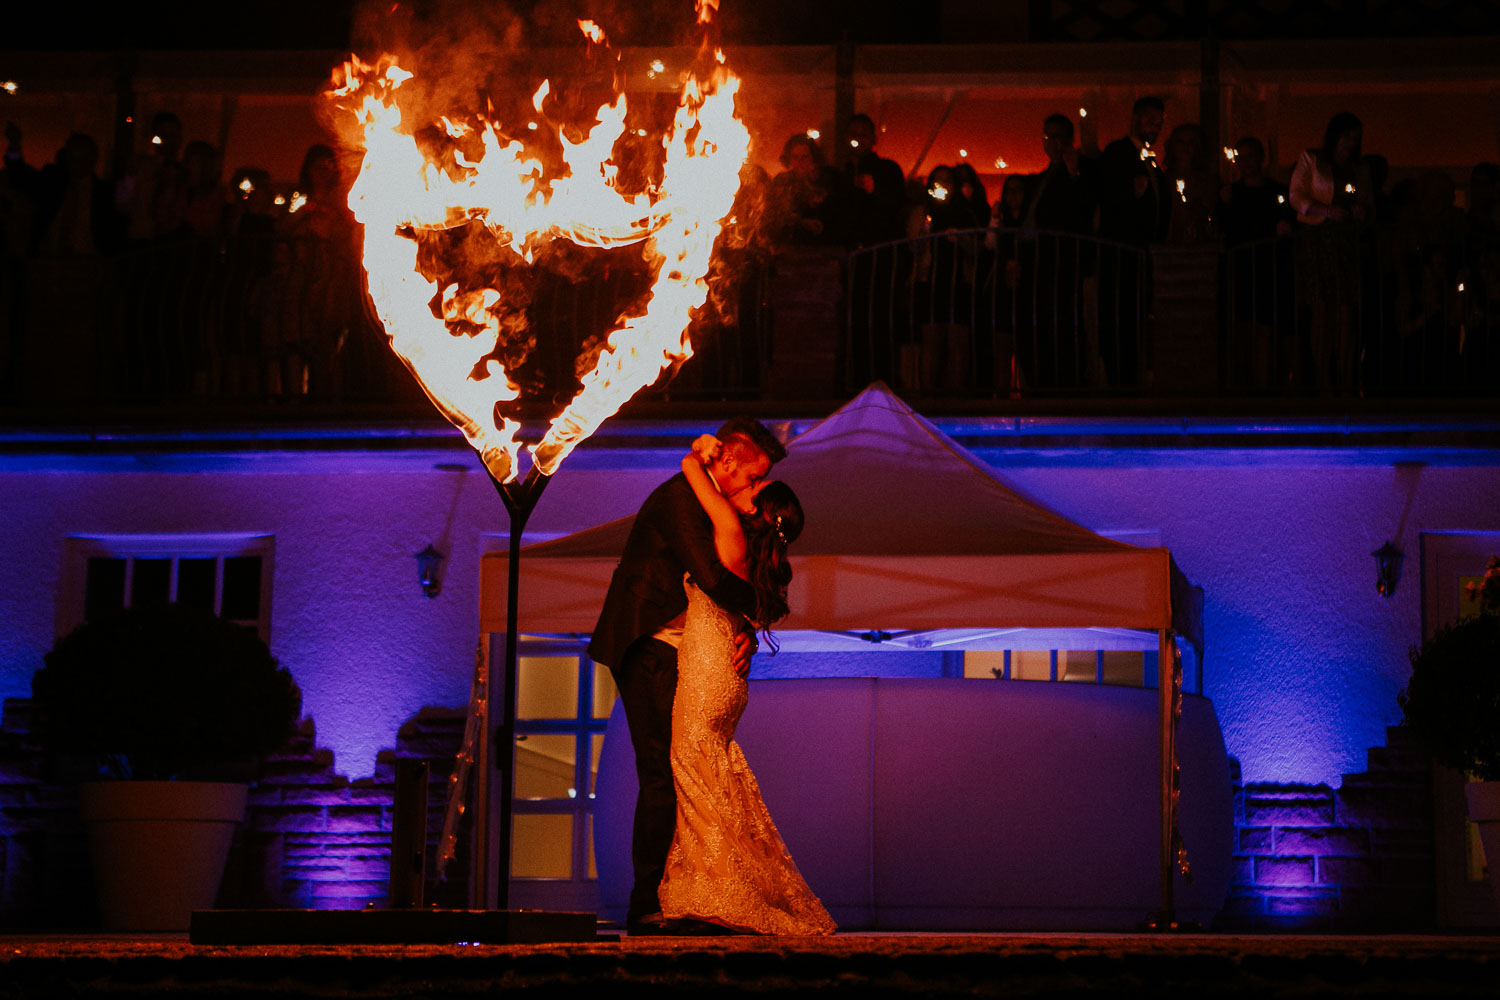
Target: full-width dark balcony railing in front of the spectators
(985, 314)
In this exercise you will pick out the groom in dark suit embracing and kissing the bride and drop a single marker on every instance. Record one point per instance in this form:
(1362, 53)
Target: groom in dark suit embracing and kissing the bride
(641, 627)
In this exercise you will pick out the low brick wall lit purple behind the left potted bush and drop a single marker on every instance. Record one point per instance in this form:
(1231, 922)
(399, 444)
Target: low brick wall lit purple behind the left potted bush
(311, 840)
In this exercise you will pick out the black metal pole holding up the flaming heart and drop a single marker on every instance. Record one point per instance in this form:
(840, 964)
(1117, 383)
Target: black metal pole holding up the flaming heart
(520, 499)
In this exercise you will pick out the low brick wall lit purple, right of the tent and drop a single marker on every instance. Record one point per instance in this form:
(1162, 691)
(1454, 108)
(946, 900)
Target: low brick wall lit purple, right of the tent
(1352, 858)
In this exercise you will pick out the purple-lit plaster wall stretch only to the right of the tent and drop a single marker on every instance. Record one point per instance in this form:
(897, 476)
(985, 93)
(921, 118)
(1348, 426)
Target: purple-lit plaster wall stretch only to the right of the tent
(1304, 659)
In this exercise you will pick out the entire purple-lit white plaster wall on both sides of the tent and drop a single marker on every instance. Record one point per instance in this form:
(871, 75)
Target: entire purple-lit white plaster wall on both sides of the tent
(1304, 659)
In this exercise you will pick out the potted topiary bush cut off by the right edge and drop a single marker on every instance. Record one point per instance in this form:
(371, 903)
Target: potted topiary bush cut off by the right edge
(1453, 702)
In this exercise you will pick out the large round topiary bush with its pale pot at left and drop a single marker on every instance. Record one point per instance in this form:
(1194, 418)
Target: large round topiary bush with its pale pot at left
(164, 713)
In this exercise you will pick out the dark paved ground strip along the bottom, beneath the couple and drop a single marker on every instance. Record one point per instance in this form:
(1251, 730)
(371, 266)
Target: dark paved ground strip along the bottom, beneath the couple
(848, 965)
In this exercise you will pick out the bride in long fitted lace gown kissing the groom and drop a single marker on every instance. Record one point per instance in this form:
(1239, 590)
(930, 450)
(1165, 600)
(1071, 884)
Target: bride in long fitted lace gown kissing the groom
(728, 864)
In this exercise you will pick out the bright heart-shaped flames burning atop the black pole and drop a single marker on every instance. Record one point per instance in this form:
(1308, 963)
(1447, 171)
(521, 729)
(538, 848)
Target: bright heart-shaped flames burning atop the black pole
(526, 208)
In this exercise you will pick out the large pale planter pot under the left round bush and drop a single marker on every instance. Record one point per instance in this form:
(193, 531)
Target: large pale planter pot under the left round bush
(158, 848)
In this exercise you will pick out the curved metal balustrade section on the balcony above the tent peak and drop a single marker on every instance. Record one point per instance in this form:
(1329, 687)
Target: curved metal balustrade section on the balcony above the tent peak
(1000, 313)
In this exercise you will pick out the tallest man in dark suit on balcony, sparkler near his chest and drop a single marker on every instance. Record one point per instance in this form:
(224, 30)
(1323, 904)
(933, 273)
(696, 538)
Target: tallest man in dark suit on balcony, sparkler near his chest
(1133, 211)
